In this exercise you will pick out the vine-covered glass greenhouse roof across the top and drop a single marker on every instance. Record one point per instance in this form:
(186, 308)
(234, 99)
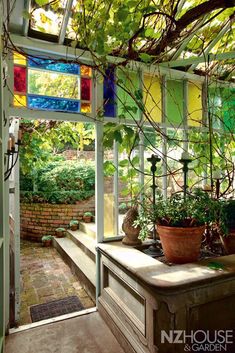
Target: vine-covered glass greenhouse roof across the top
(189, 35)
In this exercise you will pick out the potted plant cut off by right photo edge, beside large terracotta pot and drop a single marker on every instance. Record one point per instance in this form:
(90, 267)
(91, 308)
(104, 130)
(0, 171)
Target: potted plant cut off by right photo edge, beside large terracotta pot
(227, 235)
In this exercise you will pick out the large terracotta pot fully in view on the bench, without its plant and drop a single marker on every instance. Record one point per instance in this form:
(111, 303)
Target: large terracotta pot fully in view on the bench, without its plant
(181, 245)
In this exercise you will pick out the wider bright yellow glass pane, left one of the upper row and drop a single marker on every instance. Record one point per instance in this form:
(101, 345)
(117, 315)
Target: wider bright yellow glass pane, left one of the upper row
(152, 98)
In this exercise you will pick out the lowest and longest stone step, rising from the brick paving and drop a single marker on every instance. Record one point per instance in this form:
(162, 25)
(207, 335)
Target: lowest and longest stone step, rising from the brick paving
(79, 262)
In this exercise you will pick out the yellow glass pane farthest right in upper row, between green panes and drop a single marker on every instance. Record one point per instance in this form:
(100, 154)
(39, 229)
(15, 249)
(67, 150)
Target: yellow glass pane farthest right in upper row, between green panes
(194, 104)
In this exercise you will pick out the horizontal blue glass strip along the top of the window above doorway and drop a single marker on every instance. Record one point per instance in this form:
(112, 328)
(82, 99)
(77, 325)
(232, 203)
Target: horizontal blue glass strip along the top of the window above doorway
(48, 64)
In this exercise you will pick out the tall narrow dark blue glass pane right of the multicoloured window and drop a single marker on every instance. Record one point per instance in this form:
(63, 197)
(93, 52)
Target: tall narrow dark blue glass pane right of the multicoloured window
(109, 94)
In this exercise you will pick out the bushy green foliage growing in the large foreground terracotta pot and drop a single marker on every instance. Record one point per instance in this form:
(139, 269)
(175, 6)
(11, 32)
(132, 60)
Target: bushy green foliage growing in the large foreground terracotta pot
(196, 210)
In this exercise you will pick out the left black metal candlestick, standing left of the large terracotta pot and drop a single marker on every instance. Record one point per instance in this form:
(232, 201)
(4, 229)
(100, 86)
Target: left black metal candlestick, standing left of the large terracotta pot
(154, 249)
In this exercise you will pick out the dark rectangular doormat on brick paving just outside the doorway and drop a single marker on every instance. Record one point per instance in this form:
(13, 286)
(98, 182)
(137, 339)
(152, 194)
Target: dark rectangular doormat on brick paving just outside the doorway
(55, 308)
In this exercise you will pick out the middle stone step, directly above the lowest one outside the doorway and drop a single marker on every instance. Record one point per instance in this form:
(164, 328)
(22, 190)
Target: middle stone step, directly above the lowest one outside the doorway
(83, 241)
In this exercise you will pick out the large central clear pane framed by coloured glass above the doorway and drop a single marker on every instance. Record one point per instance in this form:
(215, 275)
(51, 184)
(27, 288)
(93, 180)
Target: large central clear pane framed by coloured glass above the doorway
(53, 84)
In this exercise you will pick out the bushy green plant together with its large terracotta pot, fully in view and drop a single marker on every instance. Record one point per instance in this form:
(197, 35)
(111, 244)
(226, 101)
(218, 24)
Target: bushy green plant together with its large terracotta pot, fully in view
(181, 223)
